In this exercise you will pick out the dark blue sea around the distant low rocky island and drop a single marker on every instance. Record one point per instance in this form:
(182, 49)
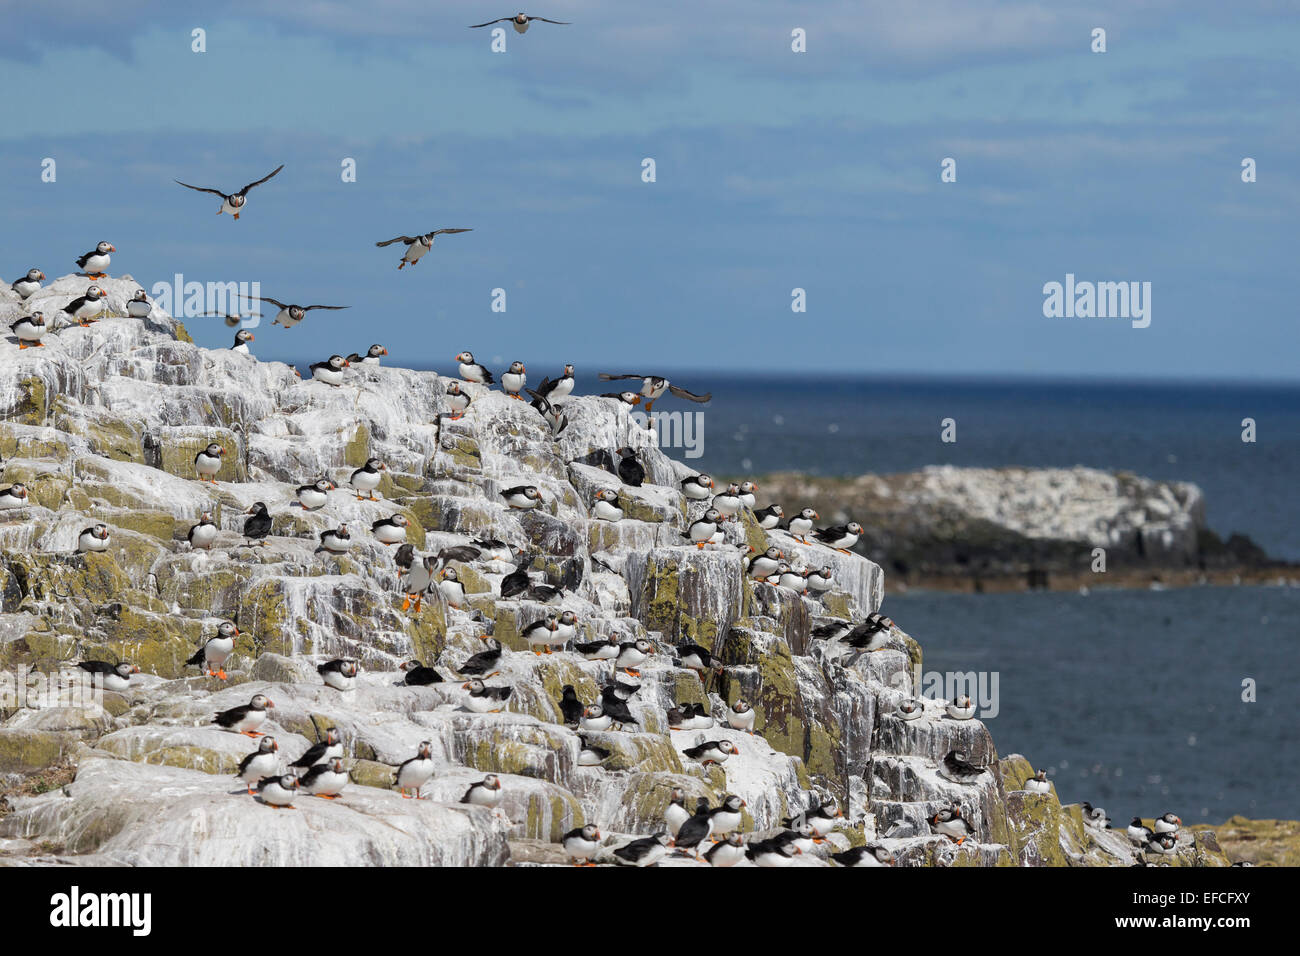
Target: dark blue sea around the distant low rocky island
(1139, 702)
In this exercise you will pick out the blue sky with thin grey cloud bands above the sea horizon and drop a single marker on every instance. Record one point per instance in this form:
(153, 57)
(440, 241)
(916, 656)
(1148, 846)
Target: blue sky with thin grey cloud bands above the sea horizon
(775, 171)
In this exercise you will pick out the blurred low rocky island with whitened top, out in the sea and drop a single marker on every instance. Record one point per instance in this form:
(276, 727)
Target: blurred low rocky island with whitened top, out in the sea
(980, 530)
